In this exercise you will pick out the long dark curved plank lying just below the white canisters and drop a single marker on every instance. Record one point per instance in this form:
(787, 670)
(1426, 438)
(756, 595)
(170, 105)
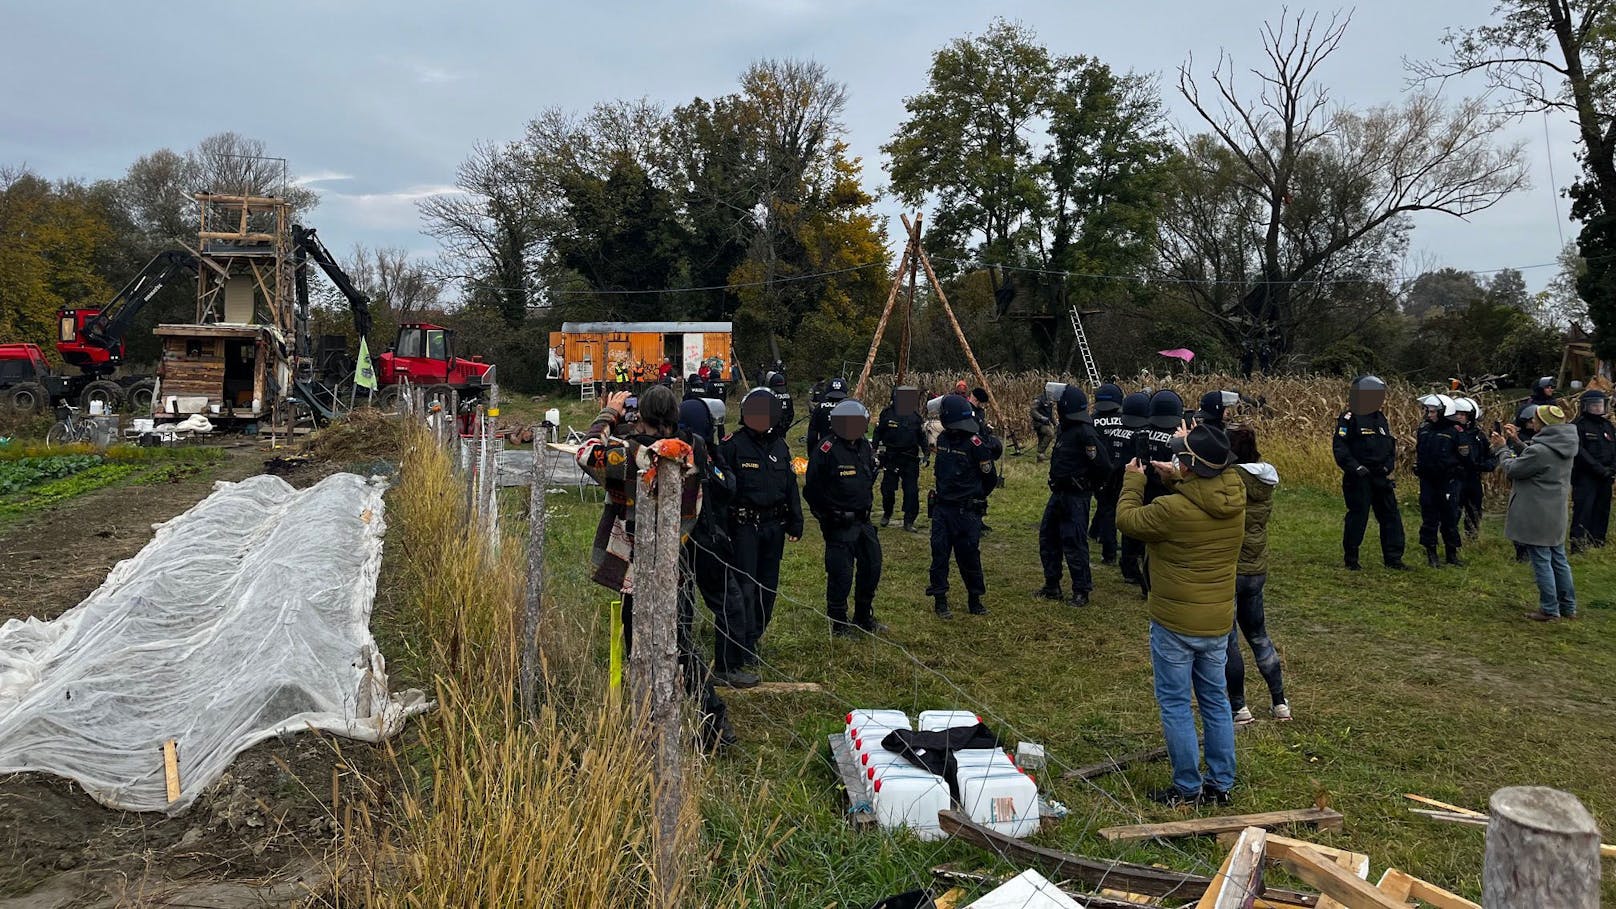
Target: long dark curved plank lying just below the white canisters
(1093, 873)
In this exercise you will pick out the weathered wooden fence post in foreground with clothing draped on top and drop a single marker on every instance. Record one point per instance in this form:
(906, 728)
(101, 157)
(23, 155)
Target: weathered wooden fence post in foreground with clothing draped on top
(654, 662)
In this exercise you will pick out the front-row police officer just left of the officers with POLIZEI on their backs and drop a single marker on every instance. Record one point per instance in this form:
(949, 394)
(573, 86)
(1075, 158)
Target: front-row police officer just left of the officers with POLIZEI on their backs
(1079, 467)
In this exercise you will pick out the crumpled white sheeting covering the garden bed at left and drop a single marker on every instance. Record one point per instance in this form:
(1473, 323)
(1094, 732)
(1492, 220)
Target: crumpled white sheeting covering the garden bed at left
(245, 619)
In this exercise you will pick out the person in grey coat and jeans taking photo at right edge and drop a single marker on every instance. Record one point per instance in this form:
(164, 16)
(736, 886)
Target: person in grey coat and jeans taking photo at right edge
(1541, 488)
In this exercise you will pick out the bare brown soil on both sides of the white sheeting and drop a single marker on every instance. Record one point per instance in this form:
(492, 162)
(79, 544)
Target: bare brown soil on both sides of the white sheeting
(256, 839)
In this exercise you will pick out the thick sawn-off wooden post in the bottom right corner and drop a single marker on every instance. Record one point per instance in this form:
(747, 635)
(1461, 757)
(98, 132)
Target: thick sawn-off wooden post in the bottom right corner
(1542, 852)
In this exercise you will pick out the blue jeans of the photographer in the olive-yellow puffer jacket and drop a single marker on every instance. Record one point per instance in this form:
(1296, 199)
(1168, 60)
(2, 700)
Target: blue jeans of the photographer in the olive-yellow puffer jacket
(1184, 664)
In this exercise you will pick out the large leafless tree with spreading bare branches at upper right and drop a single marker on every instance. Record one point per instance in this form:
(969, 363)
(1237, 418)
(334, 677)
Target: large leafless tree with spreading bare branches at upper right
(1363, 172)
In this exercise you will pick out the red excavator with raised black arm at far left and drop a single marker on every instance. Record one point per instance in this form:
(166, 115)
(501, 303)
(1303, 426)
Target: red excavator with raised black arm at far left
(91, 339)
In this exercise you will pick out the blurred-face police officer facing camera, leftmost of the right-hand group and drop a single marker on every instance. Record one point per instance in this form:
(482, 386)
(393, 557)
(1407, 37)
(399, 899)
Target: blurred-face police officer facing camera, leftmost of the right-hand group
(1368, 454)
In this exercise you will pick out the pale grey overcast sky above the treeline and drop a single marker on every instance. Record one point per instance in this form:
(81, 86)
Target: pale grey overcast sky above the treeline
(377, 101)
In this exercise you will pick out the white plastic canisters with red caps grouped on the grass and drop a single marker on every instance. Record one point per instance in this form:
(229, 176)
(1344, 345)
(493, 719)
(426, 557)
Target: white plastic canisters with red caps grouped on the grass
(993, 790)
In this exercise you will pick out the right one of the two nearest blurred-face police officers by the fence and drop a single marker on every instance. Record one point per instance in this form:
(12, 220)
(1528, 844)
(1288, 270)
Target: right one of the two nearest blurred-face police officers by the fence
(841, 489)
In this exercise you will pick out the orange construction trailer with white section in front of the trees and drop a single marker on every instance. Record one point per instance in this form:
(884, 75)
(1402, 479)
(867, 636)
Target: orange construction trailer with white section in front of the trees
(599, 352)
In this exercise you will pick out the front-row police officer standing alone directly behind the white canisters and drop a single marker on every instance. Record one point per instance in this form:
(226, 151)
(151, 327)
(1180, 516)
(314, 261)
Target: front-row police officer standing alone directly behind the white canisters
(966, 475)
